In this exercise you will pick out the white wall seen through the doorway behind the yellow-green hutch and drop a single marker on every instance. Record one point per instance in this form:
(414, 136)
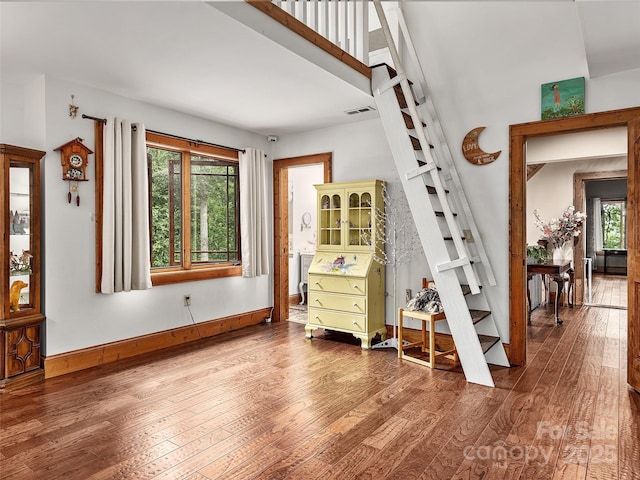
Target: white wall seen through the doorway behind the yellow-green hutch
(301, 182)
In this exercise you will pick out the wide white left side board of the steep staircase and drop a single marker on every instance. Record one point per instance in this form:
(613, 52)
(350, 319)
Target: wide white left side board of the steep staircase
(472, 359)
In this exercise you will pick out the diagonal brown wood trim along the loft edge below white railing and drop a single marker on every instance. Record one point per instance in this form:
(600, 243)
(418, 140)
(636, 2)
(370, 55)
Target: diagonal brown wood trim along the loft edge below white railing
(296, 26)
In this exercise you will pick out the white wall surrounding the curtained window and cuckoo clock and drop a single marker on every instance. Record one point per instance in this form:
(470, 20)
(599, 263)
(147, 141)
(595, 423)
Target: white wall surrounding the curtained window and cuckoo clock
(77, 317)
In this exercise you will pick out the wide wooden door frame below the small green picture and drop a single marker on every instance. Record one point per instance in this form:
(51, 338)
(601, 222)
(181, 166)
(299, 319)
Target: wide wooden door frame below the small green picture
(518, 208)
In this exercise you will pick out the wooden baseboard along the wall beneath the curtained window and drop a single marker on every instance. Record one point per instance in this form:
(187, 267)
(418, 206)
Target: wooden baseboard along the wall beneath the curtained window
(68, 362)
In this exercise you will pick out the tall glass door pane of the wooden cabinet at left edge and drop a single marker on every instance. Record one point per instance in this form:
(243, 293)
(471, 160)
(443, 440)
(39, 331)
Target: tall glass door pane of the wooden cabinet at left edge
(20, 255)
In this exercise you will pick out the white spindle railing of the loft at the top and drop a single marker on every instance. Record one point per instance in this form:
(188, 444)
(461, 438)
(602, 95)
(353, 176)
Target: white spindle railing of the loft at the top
(344, 23)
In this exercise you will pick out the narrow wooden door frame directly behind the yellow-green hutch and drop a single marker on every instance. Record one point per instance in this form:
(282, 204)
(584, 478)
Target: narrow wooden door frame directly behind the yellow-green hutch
(281, 225)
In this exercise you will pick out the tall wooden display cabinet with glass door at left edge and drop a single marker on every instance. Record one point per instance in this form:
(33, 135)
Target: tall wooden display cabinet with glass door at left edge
(21, 315)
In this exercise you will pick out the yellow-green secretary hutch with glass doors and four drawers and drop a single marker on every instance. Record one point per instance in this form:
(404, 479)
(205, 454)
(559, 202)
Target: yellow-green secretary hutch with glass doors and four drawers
(346, 280)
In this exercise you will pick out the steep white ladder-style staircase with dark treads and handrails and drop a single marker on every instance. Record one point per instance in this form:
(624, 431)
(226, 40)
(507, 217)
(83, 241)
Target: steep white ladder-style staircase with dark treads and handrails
(448, 234)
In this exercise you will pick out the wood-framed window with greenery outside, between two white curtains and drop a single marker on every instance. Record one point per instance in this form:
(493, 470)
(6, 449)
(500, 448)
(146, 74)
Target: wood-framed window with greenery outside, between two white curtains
(194, 210)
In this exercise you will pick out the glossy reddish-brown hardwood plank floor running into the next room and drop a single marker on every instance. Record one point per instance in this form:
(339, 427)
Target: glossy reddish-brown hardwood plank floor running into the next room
(266, 403)
